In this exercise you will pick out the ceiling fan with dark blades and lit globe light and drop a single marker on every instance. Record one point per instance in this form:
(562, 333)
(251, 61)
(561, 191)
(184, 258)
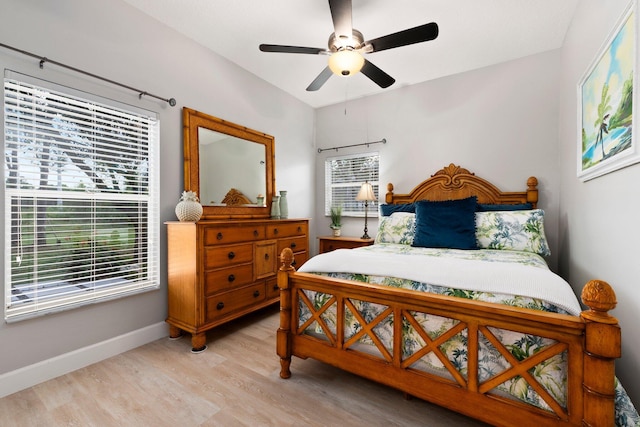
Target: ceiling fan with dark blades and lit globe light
(347, 46)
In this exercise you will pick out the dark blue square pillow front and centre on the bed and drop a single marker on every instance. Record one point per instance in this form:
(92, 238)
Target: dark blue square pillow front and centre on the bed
(446, 224)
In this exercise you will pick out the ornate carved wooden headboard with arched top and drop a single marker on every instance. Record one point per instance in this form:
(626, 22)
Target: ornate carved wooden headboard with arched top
(454, 182)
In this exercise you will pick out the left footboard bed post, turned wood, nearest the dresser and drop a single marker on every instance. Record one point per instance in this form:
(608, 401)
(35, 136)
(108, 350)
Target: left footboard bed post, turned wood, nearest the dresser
(283, 346)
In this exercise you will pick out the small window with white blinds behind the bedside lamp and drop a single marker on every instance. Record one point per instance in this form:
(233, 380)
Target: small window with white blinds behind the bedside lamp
(343, 177)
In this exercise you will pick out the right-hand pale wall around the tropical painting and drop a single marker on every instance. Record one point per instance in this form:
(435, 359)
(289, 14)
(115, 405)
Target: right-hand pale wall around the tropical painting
(599, 233)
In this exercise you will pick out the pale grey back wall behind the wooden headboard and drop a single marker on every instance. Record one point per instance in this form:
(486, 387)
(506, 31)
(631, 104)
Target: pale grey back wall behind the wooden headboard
(499, 122)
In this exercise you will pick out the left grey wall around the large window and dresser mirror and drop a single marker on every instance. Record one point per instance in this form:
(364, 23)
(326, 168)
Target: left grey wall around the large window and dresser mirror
(114, 40)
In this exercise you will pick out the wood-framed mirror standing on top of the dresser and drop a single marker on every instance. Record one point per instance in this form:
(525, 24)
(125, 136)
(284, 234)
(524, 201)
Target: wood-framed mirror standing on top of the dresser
(229, 166)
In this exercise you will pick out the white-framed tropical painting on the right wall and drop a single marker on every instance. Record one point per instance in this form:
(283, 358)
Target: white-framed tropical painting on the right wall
(606, 140)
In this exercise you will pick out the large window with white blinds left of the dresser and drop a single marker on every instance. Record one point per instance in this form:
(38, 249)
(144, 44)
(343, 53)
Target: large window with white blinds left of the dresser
(81, 198)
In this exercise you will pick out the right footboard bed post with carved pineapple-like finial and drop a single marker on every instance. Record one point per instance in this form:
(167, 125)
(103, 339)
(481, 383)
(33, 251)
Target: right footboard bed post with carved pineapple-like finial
(602, 347)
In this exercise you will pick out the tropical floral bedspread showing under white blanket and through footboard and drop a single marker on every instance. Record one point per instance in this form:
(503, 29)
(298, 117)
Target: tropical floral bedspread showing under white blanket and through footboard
(551, 374)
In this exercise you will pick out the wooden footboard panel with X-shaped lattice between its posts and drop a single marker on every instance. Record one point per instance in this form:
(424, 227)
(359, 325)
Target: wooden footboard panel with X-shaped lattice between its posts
(432, 346)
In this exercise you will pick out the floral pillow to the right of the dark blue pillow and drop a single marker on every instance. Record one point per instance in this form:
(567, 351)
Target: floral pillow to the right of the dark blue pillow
(512, 230)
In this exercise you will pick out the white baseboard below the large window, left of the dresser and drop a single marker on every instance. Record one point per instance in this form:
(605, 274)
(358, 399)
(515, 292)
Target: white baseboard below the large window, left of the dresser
(29, 376)
